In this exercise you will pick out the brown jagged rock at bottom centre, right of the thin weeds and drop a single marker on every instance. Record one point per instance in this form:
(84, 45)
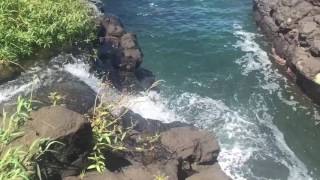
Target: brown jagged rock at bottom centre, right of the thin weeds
(188, 153)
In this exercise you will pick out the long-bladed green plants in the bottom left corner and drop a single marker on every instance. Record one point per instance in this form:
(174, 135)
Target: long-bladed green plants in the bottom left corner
(18, 162)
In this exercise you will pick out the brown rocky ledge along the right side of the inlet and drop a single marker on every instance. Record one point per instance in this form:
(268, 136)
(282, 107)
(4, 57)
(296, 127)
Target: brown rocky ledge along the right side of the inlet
(293, 28)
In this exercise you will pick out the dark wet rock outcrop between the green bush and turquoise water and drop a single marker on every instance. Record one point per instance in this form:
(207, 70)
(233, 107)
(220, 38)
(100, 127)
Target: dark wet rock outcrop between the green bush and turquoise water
(120, 55)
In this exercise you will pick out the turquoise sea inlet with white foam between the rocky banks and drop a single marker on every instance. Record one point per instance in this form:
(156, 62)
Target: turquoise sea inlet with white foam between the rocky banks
(218, 76)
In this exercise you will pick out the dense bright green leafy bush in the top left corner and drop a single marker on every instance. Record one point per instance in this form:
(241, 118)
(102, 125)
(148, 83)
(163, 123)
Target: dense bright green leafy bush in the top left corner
(27, 25)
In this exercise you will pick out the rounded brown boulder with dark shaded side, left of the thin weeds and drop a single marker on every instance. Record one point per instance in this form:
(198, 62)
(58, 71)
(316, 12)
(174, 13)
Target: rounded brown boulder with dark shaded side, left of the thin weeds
(67, 127)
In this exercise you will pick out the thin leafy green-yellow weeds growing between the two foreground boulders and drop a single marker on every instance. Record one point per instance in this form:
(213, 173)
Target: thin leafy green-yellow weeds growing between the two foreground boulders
(110, 136)
